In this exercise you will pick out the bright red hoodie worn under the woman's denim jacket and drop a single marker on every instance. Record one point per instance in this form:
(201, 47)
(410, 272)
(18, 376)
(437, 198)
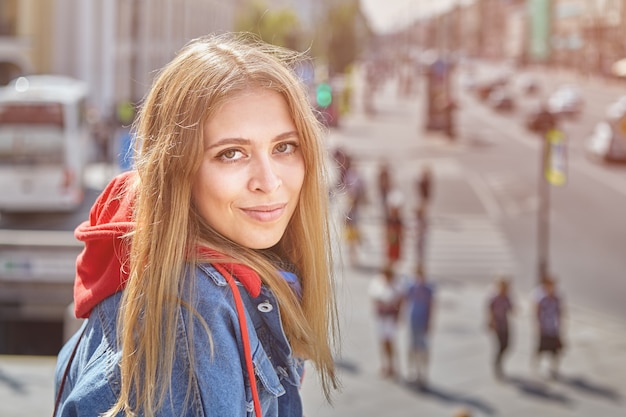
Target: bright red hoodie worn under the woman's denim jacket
(102, 267)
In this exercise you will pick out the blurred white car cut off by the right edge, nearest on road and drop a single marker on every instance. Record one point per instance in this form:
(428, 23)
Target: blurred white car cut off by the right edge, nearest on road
(607, 142)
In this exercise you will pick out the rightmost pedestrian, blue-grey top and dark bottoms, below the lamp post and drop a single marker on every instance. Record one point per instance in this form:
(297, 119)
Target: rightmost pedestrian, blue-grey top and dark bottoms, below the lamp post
(550, 311)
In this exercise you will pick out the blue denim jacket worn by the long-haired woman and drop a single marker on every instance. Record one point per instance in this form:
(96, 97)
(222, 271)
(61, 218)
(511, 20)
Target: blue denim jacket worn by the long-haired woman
(220, 386)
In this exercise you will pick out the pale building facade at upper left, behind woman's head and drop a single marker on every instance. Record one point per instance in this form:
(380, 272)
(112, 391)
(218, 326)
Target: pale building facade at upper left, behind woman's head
(114, 45)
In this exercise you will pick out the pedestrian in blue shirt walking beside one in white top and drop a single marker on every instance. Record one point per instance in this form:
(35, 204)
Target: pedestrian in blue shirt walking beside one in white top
(419, 303)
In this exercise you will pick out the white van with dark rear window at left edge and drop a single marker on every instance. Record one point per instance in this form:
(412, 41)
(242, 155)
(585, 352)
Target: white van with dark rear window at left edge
(43, 139)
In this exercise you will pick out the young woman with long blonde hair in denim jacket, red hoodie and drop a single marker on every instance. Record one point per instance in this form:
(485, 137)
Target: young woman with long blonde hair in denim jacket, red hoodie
(206, 277)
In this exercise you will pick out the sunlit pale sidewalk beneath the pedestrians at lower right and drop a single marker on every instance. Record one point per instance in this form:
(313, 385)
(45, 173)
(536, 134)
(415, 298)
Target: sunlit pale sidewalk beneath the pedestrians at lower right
(592, 381)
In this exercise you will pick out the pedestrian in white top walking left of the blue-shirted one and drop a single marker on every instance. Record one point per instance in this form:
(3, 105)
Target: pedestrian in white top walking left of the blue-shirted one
(386, 294)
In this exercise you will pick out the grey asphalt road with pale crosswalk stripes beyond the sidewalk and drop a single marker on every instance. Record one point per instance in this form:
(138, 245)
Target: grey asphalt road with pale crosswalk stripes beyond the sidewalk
(491, 173)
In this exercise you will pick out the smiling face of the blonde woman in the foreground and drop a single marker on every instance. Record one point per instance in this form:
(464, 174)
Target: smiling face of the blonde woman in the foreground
(249, 183)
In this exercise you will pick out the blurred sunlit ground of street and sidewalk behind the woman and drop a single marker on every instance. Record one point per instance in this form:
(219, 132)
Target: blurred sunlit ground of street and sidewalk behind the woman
(483, 222)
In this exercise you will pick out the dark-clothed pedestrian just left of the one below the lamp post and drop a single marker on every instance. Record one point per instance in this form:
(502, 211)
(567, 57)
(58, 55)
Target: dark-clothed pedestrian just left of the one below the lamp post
(499, 307)
